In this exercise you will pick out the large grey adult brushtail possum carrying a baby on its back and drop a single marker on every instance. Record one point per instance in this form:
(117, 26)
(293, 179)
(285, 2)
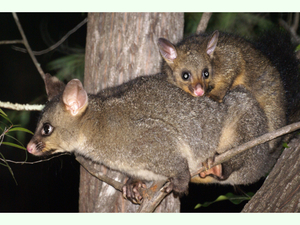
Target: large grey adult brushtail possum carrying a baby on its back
(149, 129)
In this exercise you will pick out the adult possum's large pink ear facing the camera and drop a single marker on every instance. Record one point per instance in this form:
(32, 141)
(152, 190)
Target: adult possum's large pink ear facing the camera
(75, 97)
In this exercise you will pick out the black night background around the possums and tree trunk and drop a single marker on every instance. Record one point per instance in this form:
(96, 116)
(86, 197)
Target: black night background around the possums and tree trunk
(52, 186)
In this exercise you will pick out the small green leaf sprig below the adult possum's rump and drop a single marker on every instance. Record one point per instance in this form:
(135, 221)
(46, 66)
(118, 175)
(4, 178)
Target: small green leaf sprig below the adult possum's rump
(235, 199)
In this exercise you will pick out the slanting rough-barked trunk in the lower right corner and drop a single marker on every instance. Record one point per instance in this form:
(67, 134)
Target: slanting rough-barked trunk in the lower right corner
(281, 190)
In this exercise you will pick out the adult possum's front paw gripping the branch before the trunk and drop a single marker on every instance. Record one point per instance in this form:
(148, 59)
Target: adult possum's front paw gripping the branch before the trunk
(131, 190)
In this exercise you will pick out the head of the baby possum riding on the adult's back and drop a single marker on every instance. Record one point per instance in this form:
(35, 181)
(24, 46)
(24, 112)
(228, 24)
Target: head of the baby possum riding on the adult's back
(189, 64)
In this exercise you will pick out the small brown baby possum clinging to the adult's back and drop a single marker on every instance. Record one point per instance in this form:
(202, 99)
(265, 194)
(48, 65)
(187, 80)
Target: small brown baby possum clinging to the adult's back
(213, 64)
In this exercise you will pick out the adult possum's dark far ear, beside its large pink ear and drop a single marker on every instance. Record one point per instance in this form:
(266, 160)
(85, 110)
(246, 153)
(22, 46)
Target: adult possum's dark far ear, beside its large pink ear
(53, 86)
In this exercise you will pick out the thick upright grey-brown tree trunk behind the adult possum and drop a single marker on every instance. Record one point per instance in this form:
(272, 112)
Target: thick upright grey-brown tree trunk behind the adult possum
(122, 46)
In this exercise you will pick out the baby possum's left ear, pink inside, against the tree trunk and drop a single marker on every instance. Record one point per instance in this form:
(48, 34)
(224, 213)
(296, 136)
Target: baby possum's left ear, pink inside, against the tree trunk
(167, 50)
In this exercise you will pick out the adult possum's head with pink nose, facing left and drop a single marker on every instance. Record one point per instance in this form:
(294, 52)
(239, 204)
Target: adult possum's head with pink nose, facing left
(58, 124)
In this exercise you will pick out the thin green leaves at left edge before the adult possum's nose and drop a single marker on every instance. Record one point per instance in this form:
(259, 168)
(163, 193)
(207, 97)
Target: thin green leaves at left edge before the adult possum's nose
(6, 132)
